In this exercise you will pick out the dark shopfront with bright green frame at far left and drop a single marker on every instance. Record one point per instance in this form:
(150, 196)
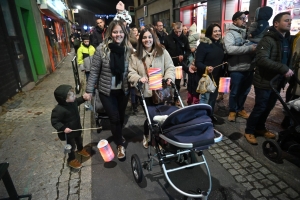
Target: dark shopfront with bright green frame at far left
(22, 60)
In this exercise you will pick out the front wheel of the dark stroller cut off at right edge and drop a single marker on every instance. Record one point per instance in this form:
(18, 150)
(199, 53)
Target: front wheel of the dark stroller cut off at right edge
(272, 151)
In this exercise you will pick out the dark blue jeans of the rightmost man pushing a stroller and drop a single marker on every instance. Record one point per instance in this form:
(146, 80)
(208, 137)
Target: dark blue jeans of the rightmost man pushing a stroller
(265, 101)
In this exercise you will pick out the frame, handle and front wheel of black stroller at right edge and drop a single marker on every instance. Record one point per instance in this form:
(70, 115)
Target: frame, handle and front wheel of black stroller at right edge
(273, 150)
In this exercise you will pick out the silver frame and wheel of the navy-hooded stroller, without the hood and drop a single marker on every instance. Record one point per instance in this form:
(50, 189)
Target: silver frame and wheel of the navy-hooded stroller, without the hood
(160, 156)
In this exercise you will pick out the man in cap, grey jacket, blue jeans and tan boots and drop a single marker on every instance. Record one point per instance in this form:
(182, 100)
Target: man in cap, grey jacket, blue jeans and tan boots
(239, 61)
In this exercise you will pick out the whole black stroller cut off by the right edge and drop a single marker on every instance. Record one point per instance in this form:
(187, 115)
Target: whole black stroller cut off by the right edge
(288, 140)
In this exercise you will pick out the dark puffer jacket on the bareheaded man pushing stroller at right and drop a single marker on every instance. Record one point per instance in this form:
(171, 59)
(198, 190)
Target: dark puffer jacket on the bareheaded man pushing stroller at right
(268, 59)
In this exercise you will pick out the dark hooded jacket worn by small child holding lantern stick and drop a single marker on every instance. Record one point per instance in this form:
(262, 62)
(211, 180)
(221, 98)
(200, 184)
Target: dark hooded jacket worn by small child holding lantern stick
(65, 114)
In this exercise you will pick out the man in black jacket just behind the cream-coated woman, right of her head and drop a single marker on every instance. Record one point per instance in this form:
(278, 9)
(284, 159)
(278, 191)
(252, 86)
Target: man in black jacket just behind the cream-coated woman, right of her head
(179, 49)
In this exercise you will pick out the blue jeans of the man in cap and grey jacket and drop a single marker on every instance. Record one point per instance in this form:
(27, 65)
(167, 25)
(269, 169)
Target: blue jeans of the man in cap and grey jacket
(240, 85)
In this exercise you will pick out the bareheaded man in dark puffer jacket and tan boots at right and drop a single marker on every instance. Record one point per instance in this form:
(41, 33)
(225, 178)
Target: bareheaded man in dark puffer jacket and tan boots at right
(273, 55)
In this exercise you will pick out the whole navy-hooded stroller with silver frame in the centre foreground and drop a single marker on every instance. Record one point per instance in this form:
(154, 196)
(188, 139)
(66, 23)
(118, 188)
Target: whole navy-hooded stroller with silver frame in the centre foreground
(184, 132)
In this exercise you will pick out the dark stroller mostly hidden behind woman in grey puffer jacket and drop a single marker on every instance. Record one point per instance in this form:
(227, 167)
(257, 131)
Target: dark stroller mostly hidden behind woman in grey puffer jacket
(99, 112)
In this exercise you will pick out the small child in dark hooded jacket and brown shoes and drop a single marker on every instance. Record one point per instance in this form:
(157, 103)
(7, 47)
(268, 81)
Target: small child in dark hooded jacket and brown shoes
(65, 118)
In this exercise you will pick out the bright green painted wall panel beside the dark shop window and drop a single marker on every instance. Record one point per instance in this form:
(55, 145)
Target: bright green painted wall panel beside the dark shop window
(29, 32)
